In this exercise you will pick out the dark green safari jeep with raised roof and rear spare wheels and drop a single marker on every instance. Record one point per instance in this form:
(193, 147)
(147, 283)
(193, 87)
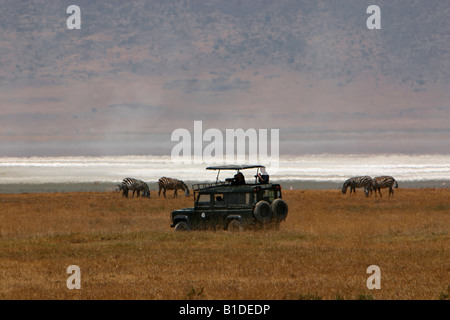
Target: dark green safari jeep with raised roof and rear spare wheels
(232, 206)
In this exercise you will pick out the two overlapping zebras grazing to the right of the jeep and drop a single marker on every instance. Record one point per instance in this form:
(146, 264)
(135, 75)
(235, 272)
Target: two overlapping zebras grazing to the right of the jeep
(370, 184)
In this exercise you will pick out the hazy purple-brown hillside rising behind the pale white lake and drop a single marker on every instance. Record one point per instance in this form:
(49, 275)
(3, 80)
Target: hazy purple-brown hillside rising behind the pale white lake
(138, 70)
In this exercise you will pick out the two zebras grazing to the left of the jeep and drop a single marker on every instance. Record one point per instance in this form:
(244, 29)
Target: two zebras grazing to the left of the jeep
(140, 188)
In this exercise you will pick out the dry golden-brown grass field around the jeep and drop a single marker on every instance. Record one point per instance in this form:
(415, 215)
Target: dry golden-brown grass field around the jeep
(126, 249)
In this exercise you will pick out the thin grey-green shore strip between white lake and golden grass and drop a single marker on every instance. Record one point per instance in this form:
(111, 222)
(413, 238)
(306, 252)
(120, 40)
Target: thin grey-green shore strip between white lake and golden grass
(98, 186)
